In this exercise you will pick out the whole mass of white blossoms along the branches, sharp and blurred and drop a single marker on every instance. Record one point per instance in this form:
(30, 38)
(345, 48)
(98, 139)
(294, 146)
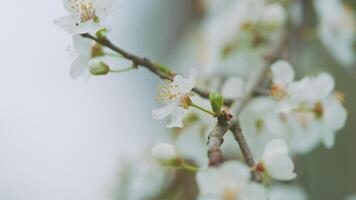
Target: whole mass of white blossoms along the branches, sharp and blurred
(281, 117)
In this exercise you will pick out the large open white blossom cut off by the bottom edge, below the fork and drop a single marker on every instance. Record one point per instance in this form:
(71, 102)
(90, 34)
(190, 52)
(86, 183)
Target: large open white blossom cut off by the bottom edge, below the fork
(229, 181)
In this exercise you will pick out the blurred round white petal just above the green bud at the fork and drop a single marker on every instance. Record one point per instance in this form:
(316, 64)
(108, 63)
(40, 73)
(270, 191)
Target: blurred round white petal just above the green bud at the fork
(233, 88)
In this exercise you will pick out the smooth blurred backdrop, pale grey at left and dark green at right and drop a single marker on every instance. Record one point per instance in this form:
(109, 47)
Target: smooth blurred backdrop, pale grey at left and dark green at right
(63, 139)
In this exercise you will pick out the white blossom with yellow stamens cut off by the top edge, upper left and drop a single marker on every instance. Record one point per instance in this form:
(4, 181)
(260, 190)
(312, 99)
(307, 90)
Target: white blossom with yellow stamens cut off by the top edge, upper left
(84, 15)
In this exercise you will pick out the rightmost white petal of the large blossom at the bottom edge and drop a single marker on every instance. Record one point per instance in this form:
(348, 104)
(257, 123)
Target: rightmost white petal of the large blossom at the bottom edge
(253, 191)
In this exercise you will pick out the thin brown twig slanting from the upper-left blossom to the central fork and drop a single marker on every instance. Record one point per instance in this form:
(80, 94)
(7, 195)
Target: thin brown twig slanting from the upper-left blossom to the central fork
(154, 67)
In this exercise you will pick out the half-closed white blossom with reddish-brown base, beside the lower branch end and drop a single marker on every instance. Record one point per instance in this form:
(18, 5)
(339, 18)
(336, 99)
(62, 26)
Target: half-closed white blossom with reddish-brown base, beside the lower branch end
(276, 161)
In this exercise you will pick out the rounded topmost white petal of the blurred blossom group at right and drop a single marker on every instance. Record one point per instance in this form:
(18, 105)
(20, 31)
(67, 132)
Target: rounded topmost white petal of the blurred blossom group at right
(282, 72)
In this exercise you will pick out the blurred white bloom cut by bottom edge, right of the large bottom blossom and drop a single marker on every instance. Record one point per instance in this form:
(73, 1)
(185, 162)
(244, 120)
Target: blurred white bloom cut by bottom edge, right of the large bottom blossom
(283, 192)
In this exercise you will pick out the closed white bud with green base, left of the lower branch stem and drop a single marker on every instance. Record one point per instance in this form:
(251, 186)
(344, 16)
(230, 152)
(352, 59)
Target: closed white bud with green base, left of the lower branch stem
(166, 154)
